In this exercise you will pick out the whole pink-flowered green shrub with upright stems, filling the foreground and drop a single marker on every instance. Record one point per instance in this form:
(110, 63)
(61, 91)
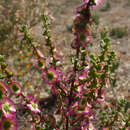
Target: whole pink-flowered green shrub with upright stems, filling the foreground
(77, 91)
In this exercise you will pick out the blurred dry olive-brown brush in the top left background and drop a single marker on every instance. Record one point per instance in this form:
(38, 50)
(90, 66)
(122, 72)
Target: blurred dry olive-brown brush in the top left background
(12, 15)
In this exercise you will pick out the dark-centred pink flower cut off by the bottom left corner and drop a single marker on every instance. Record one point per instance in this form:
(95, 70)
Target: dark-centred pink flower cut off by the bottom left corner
(8, 123)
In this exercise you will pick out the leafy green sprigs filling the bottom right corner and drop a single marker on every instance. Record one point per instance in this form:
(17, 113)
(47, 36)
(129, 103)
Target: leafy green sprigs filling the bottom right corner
(118, 116)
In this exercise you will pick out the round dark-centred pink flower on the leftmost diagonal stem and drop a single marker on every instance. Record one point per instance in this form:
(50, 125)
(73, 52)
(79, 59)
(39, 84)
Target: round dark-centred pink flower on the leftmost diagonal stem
(15, 88)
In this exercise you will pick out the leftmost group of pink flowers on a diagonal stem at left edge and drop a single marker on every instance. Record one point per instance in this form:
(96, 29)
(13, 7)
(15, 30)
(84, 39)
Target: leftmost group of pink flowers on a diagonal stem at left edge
(7, 106)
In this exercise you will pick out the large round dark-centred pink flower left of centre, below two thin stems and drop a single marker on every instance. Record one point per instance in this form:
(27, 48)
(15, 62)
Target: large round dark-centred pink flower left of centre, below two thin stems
(50, 76)
